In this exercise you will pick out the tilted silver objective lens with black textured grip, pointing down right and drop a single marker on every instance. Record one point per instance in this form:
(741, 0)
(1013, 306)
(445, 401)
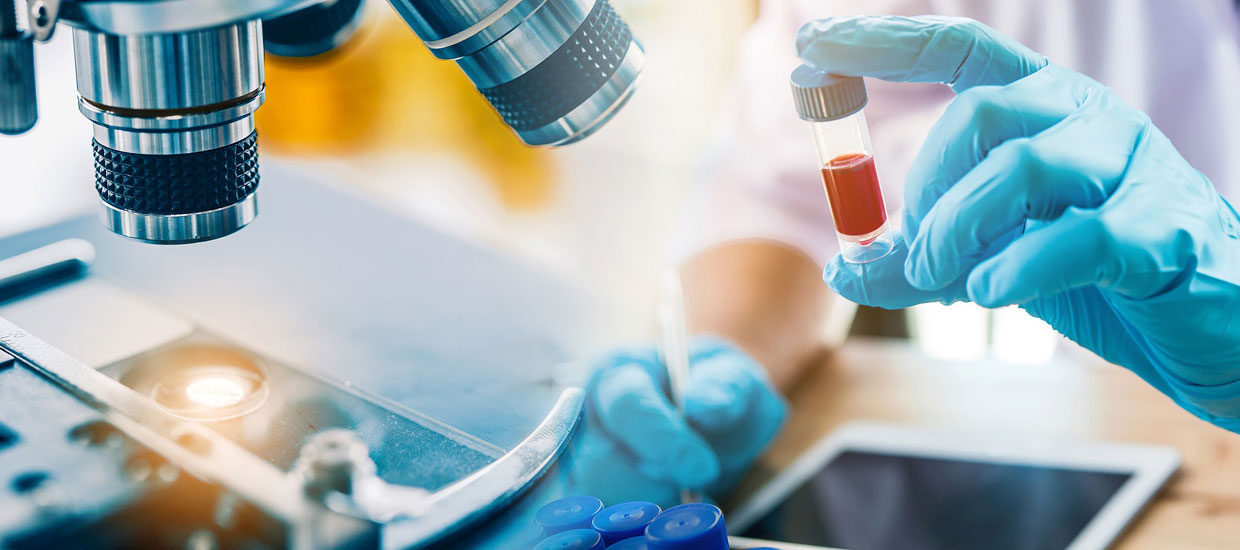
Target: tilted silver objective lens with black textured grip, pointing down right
(555, 70)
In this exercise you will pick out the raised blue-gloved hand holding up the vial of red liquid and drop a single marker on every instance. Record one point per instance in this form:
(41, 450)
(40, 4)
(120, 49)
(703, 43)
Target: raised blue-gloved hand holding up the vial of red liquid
(1041, 188)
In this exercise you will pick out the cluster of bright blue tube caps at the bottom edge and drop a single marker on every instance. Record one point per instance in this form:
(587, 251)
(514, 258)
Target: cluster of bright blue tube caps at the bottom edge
(583, 523)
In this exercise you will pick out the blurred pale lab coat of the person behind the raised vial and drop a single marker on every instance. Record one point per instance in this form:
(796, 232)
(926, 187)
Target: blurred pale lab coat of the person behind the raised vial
(1176, 60)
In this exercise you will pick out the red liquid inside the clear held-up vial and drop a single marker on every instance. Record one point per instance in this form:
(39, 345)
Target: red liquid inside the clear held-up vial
(855, 195)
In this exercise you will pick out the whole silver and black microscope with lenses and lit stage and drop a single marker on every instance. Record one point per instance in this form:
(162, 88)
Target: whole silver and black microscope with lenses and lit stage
(164, 398)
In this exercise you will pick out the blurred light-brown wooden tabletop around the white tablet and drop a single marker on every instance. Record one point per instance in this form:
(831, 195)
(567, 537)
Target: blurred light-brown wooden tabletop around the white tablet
(1072, 398)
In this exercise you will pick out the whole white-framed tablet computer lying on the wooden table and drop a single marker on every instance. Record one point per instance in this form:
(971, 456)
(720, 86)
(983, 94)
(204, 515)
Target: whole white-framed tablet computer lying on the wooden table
(877, 486)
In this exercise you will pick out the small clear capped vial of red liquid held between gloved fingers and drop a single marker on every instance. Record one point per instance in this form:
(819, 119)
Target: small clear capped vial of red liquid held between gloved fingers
(835, 108)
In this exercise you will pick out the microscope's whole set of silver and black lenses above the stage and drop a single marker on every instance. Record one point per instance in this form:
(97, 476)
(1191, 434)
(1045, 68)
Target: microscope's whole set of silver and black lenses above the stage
(172, 86)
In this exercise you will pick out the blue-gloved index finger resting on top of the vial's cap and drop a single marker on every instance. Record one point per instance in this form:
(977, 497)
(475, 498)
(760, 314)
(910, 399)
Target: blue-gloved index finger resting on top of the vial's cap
(955, 51)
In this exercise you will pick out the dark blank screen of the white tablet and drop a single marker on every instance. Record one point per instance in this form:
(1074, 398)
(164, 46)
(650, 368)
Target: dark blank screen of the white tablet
(865, 501)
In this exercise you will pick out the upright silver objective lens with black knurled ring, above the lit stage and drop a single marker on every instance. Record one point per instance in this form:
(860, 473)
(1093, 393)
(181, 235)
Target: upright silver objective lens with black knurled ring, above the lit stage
(175, 151)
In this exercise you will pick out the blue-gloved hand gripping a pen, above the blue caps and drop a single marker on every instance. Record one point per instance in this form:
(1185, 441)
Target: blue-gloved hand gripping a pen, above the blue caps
(635, 447)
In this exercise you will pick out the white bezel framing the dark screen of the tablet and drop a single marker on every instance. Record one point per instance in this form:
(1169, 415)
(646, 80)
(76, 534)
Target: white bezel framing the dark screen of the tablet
(1150, 468)
